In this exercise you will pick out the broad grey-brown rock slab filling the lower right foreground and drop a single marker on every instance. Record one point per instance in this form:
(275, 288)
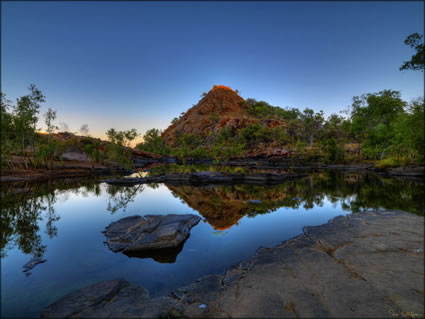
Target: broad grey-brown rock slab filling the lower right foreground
(361, 265)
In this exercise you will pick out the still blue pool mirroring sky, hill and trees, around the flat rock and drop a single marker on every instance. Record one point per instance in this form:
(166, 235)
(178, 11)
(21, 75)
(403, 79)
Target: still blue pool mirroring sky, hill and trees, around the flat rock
(62, 222)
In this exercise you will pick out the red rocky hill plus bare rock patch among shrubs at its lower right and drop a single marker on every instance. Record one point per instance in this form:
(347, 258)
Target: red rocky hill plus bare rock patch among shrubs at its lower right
(222, 108)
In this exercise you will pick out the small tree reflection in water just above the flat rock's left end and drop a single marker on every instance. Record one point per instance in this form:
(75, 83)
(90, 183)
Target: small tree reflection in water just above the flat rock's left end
(121, 196)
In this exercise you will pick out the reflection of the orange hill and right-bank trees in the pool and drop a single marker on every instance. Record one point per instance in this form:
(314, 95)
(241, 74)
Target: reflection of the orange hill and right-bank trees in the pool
(223, 206)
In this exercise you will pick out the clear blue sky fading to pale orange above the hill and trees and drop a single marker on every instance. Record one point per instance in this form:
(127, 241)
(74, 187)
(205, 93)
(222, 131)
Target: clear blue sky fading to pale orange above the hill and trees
(140, 64)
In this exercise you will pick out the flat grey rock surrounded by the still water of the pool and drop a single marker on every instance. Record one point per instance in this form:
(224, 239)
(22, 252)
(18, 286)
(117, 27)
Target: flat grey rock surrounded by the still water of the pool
(150, 232)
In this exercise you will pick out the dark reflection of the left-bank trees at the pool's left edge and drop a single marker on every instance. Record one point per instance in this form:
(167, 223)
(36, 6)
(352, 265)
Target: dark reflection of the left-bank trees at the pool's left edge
(26, 205)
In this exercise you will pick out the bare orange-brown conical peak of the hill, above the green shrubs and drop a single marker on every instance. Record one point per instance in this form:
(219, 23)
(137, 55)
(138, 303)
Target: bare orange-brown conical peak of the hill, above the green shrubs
(219, 108)
